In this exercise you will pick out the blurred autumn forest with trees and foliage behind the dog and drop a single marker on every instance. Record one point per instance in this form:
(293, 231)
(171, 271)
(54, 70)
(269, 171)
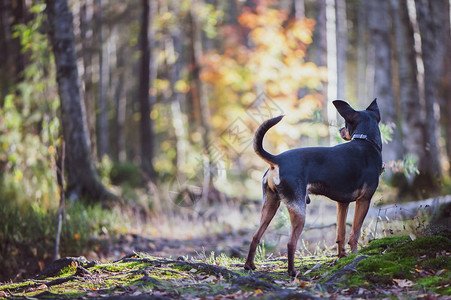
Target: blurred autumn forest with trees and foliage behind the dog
(117, 115)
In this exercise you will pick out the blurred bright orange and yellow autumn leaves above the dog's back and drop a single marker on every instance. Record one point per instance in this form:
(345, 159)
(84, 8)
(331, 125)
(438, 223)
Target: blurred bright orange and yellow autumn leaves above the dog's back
(265, 53)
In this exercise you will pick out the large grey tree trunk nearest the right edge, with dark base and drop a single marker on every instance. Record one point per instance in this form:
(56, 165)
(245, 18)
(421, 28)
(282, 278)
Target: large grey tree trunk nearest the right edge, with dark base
(431, 18)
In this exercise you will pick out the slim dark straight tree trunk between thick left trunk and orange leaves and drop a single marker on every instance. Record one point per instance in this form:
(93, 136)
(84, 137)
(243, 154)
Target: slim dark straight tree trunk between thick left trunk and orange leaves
(147, 137)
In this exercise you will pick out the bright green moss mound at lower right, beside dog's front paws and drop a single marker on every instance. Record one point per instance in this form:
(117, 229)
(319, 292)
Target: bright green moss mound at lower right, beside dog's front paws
(401, 258)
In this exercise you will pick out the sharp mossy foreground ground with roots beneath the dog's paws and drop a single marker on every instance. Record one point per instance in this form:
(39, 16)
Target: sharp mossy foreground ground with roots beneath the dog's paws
(391, 267)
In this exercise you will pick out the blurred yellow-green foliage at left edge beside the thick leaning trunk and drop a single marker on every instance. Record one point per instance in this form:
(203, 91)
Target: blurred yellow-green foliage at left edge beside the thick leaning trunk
(29, 129)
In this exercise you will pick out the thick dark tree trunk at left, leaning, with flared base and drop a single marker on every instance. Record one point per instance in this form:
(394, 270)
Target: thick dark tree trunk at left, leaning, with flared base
(83, 181)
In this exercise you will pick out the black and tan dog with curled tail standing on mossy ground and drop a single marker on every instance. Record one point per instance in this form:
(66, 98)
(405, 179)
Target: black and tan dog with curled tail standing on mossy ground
(345, 173)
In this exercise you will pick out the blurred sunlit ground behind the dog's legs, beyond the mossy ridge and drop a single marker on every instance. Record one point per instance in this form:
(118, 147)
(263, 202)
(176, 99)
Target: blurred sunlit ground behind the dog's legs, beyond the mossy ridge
(198, 229)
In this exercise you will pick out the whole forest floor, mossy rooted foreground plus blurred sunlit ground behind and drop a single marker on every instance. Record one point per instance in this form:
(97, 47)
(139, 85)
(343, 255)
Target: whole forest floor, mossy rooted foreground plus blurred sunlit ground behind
(204, 260)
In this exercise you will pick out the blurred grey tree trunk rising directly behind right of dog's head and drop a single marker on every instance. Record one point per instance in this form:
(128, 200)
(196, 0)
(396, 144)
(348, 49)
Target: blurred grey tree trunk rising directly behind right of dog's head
(379, 25)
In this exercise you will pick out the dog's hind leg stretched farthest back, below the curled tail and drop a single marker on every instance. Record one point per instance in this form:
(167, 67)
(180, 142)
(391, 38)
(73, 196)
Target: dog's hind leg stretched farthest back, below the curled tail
(270, 206)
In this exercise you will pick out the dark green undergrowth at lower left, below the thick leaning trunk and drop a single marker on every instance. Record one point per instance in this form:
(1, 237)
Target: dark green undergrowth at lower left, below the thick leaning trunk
(27, 233)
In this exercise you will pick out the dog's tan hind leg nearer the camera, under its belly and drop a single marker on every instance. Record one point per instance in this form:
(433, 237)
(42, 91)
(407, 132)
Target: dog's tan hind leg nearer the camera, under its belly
(297, 217)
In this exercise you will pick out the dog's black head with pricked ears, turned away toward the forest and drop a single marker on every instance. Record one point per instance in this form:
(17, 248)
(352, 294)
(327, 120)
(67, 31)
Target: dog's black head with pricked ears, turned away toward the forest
(358, 122)
